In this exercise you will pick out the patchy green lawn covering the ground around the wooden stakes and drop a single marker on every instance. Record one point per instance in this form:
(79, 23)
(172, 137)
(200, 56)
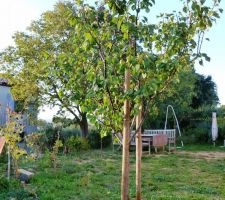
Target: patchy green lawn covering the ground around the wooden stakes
(88, 176)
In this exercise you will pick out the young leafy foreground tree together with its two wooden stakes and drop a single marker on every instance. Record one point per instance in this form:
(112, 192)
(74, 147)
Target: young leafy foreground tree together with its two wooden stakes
(135, 61)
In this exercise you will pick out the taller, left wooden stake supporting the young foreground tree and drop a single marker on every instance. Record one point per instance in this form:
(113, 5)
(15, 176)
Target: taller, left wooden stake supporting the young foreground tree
(126, 142)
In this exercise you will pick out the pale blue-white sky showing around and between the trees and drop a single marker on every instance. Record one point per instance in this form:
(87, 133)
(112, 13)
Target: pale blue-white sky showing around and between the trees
(16, 15)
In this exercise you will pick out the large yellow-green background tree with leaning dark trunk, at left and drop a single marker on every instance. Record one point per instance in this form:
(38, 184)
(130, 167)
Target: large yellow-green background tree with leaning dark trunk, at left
(36, 64)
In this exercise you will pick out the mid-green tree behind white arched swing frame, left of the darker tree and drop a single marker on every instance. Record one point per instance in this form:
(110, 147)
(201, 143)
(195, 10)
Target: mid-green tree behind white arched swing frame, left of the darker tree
(179, 94)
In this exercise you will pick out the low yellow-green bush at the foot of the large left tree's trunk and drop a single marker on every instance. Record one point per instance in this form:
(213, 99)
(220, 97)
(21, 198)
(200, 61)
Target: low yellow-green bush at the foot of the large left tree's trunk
(75, 143)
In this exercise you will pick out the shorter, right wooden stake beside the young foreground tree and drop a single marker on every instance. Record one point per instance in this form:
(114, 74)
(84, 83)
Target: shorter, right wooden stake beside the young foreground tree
(138, 156)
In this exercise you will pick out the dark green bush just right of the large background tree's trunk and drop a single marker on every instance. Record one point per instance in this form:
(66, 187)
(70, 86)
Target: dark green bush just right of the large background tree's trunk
(94, 140)
